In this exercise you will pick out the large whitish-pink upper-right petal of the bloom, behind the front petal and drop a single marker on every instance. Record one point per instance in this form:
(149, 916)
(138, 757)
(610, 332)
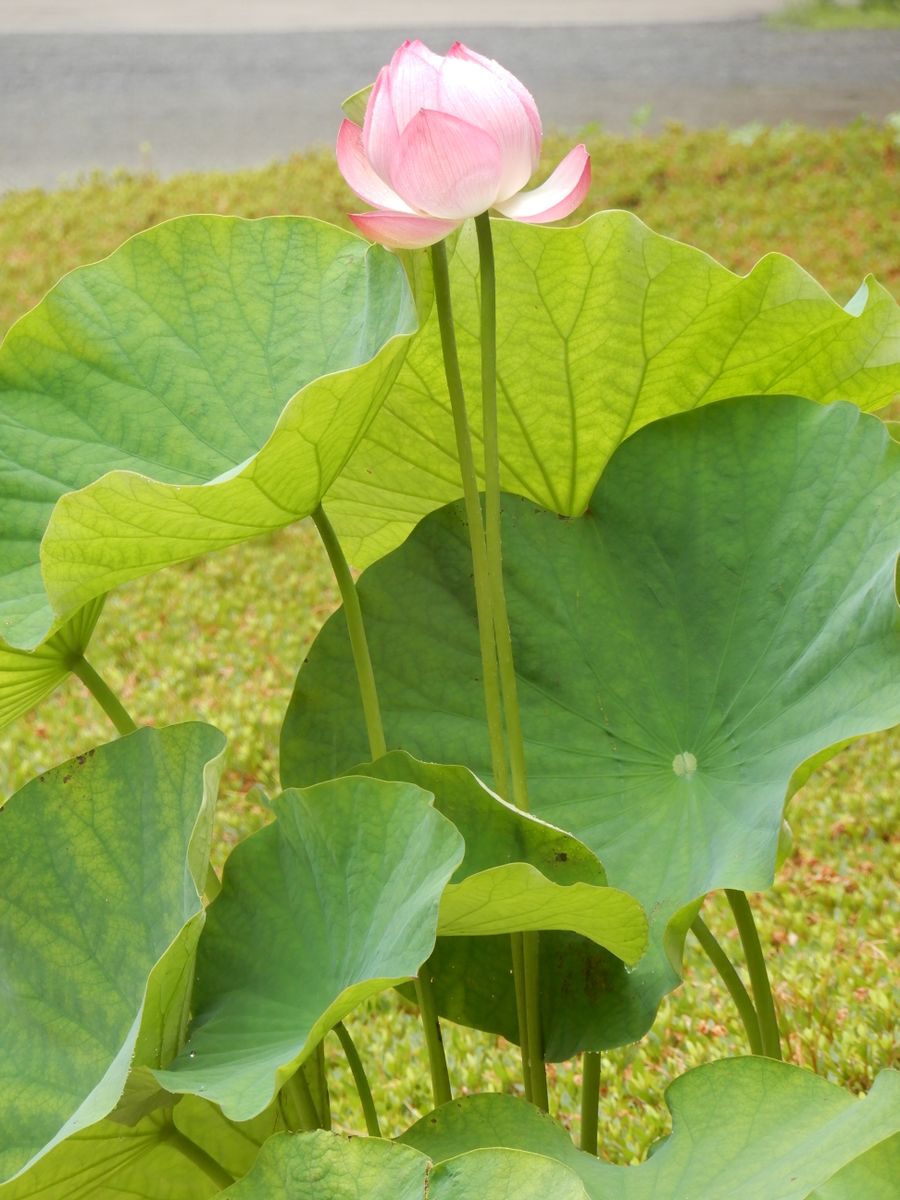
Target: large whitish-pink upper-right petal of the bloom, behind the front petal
(477, 95)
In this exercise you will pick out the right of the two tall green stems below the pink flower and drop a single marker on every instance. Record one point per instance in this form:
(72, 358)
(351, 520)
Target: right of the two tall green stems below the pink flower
(530, 1004)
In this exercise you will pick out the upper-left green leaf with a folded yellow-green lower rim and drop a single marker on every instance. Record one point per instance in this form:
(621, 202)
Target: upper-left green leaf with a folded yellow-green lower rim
(193, 391)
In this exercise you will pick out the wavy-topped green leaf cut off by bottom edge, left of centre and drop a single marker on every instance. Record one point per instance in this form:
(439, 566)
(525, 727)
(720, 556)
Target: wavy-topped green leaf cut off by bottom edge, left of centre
(325, 1167)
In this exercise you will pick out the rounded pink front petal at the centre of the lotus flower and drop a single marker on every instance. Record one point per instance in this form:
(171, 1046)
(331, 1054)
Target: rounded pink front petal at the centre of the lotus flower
(447, 167)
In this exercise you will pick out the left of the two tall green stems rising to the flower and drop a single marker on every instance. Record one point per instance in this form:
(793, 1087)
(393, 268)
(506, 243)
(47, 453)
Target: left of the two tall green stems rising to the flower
(494, 711)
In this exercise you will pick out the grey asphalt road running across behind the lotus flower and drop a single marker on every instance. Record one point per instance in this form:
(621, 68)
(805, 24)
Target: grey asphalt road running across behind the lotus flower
(76, 101)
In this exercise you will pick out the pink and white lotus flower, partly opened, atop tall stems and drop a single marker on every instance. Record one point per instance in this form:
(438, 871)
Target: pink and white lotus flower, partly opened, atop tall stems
(448, 139)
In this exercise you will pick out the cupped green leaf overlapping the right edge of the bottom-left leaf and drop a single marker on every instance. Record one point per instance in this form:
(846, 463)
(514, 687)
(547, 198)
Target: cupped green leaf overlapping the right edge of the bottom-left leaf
(334, 902)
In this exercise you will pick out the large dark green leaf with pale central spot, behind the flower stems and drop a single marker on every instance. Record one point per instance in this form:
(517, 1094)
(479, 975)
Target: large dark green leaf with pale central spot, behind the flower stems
(723, 611)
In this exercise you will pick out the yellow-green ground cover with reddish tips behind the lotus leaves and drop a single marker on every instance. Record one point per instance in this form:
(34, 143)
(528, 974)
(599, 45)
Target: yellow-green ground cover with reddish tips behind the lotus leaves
(221, 639)
